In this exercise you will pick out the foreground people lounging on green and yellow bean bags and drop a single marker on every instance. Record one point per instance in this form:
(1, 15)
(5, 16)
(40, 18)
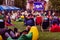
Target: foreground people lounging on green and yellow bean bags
(28, 34)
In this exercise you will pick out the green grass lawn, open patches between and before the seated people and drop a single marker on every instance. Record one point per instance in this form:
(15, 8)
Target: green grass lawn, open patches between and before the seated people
(42, 35)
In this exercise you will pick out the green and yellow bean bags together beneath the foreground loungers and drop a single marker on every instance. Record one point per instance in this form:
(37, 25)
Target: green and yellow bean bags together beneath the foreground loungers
(31, 35)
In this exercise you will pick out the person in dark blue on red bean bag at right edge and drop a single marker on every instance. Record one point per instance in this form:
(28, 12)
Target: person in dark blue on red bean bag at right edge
(55, 27)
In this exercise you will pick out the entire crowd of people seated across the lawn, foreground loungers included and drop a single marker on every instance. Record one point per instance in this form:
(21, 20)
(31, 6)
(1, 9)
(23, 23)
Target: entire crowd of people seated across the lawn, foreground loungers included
(46, 20)
